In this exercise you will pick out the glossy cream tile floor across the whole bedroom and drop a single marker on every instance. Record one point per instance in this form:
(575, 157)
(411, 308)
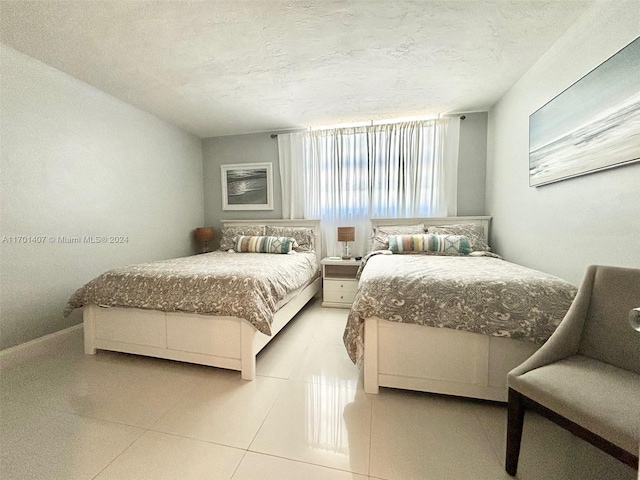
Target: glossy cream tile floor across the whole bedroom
(66, 415)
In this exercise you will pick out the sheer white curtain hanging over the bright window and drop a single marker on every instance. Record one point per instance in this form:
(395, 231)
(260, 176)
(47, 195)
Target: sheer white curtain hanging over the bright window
(346, 176)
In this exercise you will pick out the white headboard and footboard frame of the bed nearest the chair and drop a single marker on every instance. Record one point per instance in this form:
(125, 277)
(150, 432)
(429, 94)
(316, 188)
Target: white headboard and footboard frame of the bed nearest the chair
(439, 360)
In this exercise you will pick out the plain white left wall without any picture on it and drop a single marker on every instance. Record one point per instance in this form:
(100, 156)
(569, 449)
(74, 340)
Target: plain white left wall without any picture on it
(76, 161)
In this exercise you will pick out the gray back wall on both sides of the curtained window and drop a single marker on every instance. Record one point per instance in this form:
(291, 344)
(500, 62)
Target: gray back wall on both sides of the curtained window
(260, 147)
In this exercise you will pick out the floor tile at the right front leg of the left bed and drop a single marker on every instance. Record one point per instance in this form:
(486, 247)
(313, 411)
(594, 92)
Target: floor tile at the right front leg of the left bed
(223, 409)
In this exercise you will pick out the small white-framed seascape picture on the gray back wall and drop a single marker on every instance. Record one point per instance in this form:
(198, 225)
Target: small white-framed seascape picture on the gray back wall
(247, 186)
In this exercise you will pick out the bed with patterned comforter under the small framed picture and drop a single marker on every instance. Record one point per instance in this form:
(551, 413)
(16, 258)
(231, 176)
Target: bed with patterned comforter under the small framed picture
(199, 326)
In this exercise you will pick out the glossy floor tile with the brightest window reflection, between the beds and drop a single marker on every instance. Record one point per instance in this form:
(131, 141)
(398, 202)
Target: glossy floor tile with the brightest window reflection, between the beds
(326, 425)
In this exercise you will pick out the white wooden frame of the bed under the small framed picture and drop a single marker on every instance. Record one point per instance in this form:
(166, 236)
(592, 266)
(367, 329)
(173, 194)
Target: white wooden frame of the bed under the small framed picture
(225, 342)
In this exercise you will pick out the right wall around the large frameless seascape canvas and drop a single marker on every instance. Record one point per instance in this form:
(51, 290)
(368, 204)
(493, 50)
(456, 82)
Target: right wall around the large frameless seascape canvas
(563, 227)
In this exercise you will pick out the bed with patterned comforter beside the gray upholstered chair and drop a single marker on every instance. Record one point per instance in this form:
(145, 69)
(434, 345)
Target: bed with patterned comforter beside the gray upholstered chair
(449, 324)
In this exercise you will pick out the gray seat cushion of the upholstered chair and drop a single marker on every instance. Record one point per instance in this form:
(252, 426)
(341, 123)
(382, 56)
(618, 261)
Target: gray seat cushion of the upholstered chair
(600, 397)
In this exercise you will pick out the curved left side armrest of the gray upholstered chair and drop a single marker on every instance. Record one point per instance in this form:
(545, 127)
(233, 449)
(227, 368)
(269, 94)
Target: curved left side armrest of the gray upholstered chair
(565, 341)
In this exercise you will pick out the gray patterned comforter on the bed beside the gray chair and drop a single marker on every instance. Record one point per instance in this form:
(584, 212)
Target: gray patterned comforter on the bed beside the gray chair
(478, 294)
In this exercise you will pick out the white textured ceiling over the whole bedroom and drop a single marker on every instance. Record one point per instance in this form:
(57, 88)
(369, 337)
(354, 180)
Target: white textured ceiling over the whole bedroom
(228, 67)
